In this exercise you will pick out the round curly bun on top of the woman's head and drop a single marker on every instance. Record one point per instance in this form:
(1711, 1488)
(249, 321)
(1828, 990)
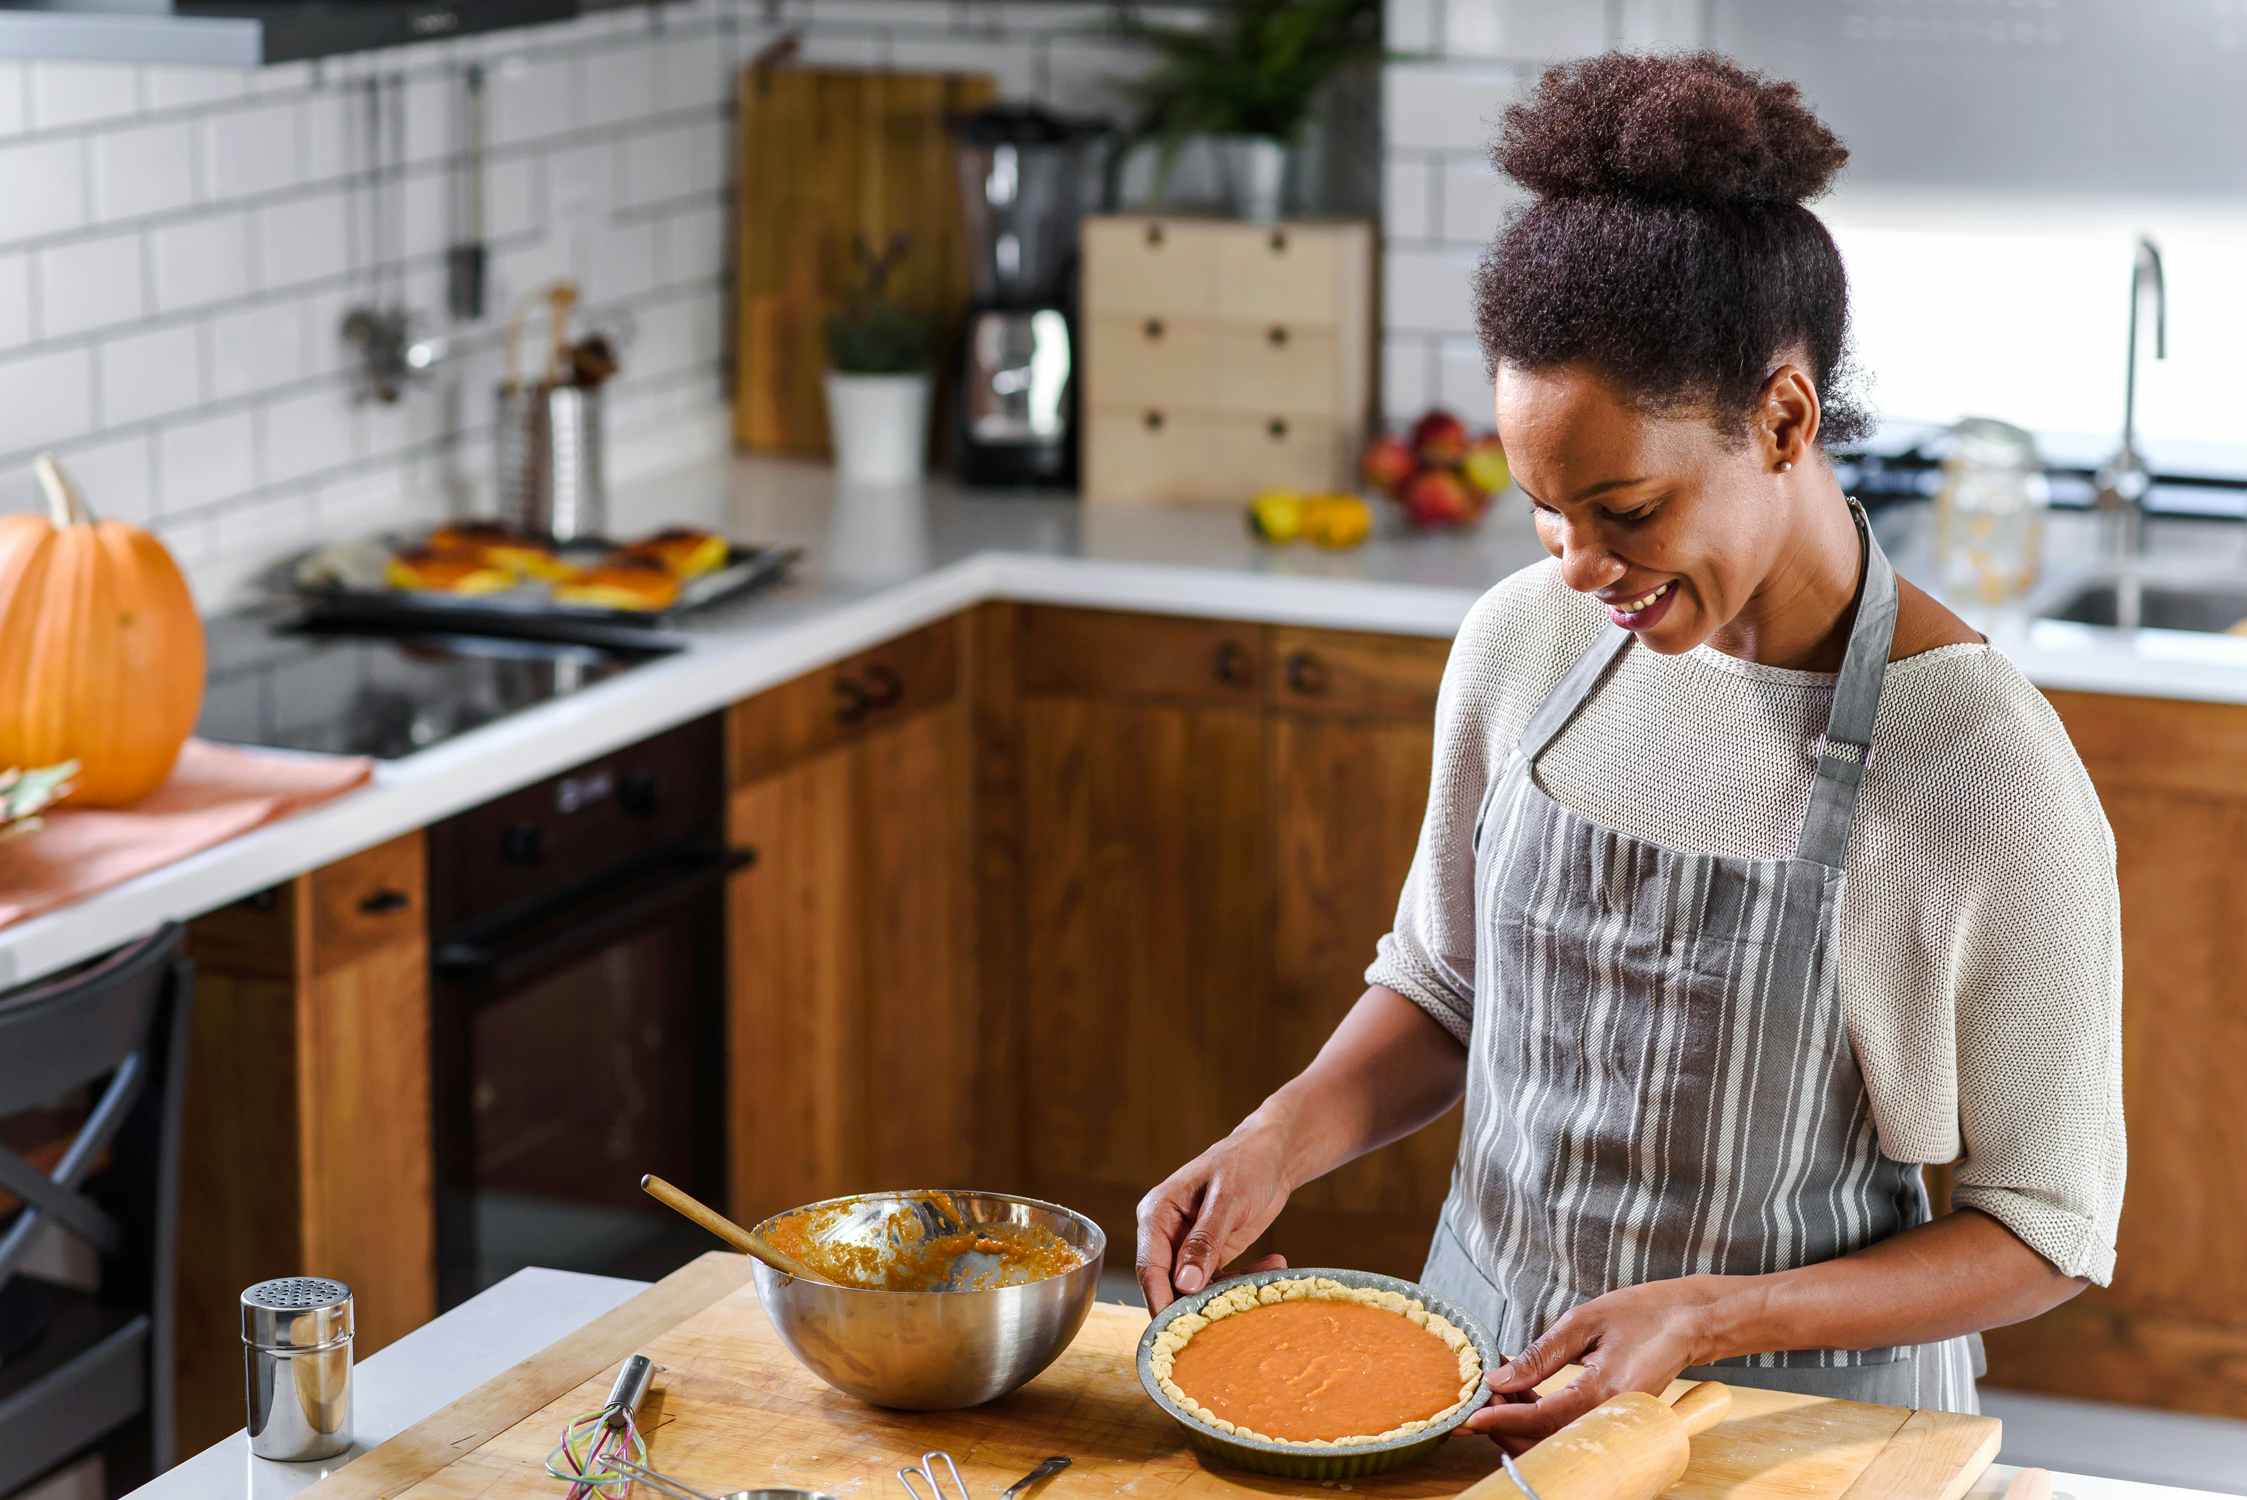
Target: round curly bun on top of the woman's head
(1677, 127)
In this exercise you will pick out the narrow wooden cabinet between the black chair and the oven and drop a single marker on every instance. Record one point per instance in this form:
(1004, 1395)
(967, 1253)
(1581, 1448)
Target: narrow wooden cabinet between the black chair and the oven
(307, 1144)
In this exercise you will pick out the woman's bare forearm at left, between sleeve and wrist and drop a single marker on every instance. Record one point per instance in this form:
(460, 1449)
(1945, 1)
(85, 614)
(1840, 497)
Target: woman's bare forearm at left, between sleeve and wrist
(1388, 1072)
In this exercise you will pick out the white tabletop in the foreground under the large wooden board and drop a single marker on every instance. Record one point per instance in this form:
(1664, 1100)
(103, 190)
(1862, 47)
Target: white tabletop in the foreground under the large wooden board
(453, 1355)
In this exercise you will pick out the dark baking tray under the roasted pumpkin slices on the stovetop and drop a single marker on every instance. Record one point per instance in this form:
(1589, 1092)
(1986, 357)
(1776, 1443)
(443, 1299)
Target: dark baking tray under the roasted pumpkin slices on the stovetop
(343, 585)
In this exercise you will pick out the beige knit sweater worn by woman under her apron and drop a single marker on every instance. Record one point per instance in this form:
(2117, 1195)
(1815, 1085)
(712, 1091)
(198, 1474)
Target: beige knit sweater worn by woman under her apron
(1981, 933)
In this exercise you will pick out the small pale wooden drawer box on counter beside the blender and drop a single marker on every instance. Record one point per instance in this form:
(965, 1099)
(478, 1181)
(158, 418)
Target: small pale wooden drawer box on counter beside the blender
(1223, 358)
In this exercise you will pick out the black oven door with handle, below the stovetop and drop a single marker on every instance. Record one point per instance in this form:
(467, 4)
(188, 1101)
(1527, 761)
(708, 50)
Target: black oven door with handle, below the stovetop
(574, 1050)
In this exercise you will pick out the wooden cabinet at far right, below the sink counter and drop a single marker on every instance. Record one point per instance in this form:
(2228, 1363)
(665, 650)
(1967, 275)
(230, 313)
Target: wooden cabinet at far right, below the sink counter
(2172, 1330)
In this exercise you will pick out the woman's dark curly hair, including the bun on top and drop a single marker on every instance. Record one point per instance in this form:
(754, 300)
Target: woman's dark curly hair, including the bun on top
(1668, 244)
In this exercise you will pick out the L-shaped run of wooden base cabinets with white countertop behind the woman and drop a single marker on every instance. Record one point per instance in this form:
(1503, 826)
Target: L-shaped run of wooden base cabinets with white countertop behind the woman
(1125, 765)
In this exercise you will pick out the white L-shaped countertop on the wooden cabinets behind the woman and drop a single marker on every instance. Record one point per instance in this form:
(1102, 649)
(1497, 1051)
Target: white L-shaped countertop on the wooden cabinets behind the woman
(882, 562)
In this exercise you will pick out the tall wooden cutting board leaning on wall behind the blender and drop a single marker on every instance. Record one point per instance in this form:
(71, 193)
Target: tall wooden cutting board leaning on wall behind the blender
(828, 156)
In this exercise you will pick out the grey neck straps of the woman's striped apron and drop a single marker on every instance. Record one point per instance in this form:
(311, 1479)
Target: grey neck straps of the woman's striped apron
(1857, 702)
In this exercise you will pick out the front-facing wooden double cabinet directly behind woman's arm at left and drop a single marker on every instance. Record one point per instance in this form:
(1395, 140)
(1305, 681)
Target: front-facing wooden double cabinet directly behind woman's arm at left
(1219, 818)
